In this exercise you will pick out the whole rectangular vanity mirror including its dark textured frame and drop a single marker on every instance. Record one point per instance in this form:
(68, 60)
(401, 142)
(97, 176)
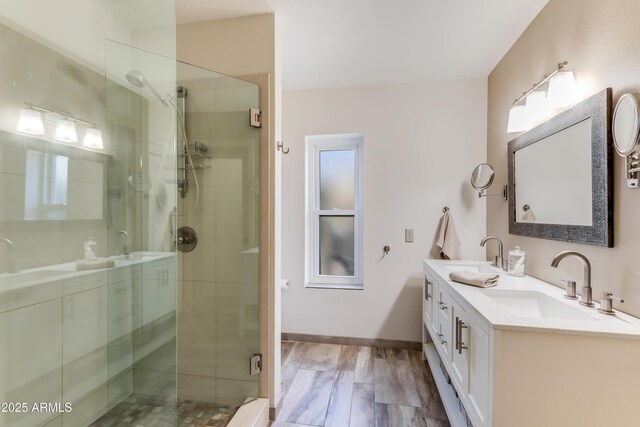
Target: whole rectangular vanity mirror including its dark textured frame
(560, 176)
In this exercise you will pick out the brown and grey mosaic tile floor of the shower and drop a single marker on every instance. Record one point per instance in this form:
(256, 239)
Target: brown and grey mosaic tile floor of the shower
(150, 411)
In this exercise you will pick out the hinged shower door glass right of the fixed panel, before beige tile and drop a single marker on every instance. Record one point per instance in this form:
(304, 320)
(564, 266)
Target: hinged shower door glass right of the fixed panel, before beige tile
(218, 327)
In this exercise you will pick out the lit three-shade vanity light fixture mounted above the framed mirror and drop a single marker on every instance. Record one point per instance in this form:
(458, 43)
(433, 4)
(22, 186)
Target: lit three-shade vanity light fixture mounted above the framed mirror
(535, 104)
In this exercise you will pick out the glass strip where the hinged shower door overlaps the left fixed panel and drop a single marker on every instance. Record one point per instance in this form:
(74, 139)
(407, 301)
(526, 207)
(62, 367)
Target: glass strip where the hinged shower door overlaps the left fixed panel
(141, 188)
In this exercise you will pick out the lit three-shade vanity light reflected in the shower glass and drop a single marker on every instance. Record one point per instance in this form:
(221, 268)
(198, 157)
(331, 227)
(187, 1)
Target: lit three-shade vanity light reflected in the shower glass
(31, 121)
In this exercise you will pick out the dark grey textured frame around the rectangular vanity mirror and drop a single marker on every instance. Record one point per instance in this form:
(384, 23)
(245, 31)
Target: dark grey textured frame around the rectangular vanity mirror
(600, 232)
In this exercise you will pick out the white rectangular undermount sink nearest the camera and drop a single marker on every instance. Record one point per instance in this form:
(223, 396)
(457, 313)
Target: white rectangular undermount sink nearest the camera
(534, 304)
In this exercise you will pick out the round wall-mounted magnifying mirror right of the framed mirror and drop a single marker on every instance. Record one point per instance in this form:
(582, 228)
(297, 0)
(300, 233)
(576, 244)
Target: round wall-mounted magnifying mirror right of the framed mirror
(626, 130)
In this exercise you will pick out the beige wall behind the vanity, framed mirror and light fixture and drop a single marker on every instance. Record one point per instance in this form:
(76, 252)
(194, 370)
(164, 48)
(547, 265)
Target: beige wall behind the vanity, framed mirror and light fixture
(599, 38)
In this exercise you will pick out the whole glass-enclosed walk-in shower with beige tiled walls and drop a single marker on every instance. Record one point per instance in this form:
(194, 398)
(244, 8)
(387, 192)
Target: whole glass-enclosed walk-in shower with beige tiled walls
(128, 260)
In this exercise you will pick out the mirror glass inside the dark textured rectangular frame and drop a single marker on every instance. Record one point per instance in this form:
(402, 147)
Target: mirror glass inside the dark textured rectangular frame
(553, 177)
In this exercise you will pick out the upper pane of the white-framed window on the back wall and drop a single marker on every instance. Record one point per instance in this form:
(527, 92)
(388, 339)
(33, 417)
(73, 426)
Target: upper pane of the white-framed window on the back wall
(337, 179)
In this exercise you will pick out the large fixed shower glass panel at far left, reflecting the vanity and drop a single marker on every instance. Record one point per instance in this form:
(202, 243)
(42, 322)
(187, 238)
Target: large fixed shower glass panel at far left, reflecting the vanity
(83, 336)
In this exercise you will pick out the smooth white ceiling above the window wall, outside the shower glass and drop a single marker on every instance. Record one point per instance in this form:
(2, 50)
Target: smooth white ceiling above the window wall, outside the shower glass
(337, 43)
